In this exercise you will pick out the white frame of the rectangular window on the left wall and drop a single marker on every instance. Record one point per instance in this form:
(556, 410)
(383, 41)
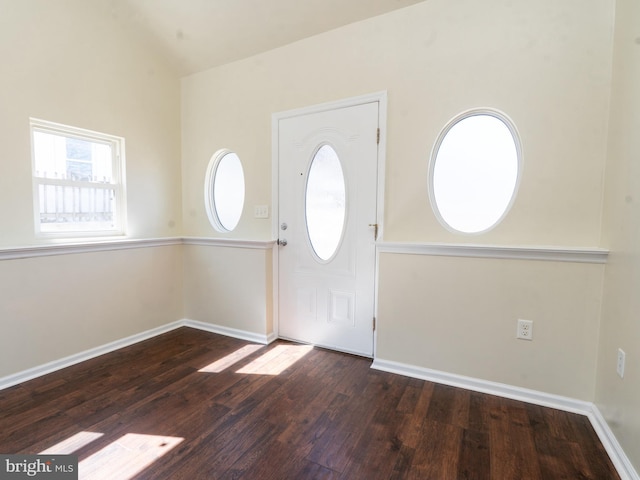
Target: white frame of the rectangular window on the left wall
(118, 179)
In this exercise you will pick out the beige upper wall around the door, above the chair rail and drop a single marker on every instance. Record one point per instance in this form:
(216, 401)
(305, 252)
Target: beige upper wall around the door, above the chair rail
(546, 64)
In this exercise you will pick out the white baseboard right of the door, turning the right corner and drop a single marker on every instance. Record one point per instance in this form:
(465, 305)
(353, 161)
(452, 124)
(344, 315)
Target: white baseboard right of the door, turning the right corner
(610, 443)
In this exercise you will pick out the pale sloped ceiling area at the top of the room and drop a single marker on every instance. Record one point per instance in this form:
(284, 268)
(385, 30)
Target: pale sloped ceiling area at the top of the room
(199, 34)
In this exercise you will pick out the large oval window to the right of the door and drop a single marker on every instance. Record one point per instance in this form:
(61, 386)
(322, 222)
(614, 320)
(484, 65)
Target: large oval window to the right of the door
(475, 171)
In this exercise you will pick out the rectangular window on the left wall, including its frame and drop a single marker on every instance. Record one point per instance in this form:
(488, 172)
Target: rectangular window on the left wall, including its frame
(78, 181)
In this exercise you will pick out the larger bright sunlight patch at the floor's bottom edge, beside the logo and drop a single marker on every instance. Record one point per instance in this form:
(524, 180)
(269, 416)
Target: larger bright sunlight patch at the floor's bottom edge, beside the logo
(126, 457)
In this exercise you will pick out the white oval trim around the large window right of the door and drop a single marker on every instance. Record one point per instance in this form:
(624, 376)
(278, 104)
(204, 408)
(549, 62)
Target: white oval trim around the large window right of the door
(504, 118)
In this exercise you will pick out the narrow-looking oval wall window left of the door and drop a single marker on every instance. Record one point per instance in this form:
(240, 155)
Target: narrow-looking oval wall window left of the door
(224, 190)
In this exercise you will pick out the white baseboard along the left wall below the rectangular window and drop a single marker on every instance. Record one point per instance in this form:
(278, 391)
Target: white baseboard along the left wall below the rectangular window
(31, 373)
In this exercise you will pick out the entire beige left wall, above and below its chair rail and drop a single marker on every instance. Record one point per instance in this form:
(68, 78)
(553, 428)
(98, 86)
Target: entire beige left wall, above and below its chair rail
(69, 61)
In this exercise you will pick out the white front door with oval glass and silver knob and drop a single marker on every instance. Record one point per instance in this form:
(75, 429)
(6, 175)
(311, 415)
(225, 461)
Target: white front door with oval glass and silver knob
(327, 174)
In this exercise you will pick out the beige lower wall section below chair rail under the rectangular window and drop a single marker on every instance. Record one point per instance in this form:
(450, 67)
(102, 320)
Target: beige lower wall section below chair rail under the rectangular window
(56, 306)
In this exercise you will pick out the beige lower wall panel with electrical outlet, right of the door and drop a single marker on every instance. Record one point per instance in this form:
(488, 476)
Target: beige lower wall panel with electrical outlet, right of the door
(458, 315)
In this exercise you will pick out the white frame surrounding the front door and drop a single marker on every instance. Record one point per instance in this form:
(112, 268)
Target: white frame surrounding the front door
(381, 98)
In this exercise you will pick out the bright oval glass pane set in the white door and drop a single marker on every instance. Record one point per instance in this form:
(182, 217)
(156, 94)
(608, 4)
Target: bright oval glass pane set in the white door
(325, 202)
